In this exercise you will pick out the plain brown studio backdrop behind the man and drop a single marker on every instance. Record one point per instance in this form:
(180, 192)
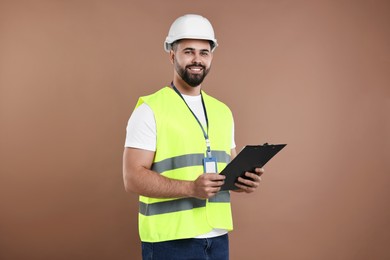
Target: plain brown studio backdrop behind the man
(313, 74)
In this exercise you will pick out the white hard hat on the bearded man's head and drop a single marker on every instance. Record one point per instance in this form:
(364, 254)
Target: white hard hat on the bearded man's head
(190, 26)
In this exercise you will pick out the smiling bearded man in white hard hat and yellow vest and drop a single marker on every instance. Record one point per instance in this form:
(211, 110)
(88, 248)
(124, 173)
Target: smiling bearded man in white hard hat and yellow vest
(177, 140)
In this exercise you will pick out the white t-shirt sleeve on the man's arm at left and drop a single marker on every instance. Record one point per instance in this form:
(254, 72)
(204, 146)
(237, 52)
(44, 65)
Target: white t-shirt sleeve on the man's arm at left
(141, 129)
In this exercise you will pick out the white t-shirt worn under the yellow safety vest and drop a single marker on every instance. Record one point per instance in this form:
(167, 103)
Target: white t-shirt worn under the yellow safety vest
(141, 133)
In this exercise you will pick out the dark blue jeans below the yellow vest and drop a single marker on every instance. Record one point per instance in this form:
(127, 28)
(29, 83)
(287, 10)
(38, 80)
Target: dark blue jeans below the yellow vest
(216, 248)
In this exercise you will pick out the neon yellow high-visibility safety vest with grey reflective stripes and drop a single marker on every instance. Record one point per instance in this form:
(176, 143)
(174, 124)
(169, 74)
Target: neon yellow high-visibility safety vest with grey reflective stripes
(180, 149)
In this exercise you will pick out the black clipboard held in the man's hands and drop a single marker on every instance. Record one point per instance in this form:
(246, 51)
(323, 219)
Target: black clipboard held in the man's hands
(249, 158)
